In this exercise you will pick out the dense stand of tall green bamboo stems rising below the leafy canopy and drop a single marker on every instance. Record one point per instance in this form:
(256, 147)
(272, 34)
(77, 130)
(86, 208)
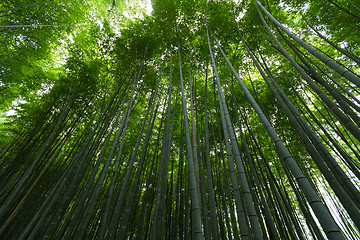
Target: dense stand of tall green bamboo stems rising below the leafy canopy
(124, 178)
